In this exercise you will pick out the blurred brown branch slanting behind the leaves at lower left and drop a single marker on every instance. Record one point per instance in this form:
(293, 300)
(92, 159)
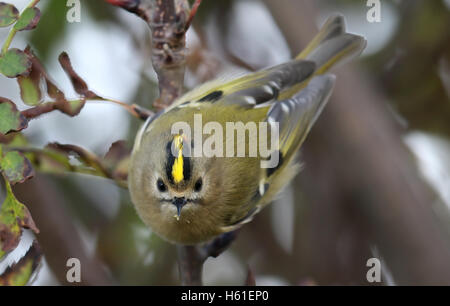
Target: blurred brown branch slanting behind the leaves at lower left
(46, 204)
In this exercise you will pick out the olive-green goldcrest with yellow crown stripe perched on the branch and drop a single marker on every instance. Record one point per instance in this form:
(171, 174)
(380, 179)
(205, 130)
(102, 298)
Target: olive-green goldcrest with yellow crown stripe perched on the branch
(190, 199)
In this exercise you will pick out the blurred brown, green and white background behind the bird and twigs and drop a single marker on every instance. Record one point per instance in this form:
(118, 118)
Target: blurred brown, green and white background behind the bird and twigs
(376, 177)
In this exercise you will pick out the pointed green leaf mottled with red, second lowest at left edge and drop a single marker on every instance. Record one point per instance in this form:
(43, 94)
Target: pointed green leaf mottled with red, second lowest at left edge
(13, 217)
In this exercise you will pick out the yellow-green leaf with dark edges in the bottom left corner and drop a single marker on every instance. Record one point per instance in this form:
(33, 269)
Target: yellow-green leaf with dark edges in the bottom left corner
(20, 273)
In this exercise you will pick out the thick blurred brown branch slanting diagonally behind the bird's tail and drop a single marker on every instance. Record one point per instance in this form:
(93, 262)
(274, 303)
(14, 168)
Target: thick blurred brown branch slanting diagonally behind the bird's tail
(381, 183)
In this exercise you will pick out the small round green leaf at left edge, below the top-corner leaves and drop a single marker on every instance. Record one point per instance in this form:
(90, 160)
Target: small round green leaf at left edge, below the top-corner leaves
(14, 63)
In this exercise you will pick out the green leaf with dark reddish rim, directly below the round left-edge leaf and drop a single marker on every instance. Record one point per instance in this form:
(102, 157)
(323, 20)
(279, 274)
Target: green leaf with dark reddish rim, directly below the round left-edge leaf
(10, 118)
